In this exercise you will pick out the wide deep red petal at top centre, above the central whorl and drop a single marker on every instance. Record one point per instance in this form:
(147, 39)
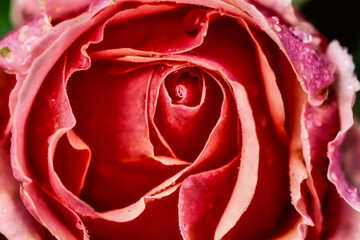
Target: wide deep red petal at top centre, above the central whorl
(146, 31)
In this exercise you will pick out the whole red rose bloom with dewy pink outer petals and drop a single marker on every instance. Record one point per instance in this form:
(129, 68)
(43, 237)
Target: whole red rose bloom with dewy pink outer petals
(193, 120)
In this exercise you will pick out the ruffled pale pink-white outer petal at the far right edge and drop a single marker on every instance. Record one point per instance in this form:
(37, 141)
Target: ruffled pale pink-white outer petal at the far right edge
(341, 151)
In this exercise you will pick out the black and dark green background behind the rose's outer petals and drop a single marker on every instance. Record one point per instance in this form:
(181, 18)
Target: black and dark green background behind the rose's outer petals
(335, 19)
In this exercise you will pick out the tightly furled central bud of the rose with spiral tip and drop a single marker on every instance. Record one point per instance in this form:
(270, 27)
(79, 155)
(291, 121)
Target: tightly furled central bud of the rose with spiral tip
(188, 107)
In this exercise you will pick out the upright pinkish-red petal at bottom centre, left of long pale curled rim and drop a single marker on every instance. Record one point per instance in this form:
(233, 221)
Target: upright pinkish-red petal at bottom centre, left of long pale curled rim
(200, 207)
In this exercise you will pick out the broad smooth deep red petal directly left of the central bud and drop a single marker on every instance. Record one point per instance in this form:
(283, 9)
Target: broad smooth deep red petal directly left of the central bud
(111, 118)
